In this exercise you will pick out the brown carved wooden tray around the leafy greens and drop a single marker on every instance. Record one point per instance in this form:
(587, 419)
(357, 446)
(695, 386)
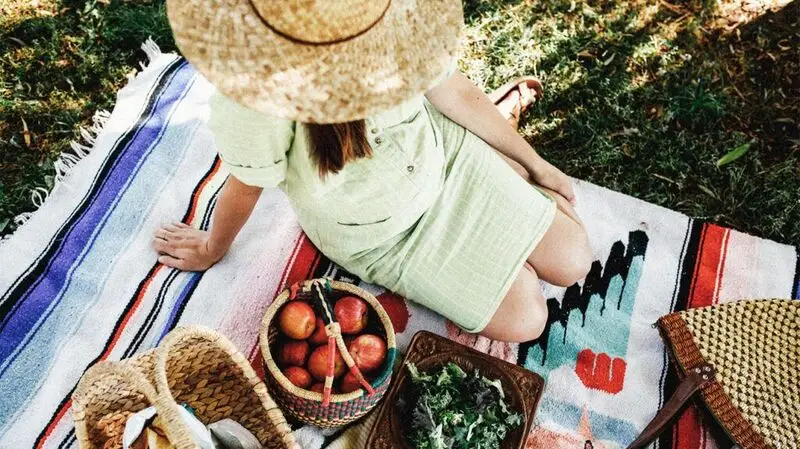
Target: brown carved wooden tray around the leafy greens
(428, 351)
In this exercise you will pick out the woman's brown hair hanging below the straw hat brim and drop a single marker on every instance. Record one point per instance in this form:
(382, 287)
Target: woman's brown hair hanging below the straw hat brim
(334, 145)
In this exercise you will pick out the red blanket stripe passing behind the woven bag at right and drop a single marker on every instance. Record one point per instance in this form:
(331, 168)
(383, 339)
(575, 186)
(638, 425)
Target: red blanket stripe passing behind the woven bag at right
(689, 432)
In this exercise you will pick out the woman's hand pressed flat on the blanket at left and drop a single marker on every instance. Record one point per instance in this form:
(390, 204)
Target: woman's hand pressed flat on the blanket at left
(185, 248)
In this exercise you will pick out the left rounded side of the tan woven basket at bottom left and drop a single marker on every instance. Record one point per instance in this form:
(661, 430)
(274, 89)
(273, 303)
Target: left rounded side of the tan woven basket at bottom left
(109, 393)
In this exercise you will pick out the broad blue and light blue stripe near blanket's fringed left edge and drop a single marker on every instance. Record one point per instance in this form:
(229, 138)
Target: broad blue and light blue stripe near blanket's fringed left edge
(65, 289)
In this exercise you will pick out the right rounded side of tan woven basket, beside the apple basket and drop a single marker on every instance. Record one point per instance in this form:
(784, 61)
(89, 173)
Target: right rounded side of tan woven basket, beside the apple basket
(201, 368)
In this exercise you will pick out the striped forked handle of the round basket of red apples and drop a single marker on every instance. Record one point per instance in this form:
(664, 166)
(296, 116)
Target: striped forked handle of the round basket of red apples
(321, 302)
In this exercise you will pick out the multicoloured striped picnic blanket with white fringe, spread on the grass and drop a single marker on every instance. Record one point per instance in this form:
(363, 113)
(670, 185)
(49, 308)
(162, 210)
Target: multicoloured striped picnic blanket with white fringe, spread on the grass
(80, 282)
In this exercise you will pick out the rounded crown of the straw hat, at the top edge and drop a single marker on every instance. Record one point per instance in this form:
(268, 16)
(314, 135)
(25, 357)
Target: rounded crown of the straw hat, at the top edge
(320, 21)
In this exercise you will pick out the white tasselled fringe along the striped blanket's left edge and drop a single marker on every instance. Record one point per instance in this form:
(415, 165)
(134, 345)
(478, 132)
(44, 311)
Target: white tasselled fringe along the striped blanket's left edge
(80, 148)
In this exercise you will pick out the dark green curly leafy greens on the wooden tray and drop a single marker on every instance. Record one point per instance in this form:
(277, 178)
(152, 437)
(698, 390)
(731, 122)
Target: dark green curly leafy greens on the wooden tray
(456, 410)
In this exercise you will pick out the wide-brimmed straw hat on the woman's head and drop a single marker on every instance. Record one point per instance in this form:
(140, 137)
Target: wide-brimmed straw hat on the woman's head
(322, 61)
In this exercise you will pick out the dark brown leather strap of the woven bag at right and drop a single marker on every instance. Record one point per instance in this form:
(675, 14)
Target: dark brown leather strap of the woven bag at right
(696, 378)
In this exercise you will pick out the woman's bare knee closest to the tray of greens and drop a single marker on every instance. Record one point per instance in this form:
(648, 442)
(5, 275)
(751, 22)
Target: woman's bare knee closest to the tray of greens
(522, 314)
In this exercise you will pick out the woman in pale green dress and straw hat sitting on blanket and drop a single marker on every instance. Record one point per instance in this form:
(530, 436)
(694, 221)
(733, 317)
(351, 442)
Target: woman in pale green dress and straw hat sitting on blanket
(399, 168)
